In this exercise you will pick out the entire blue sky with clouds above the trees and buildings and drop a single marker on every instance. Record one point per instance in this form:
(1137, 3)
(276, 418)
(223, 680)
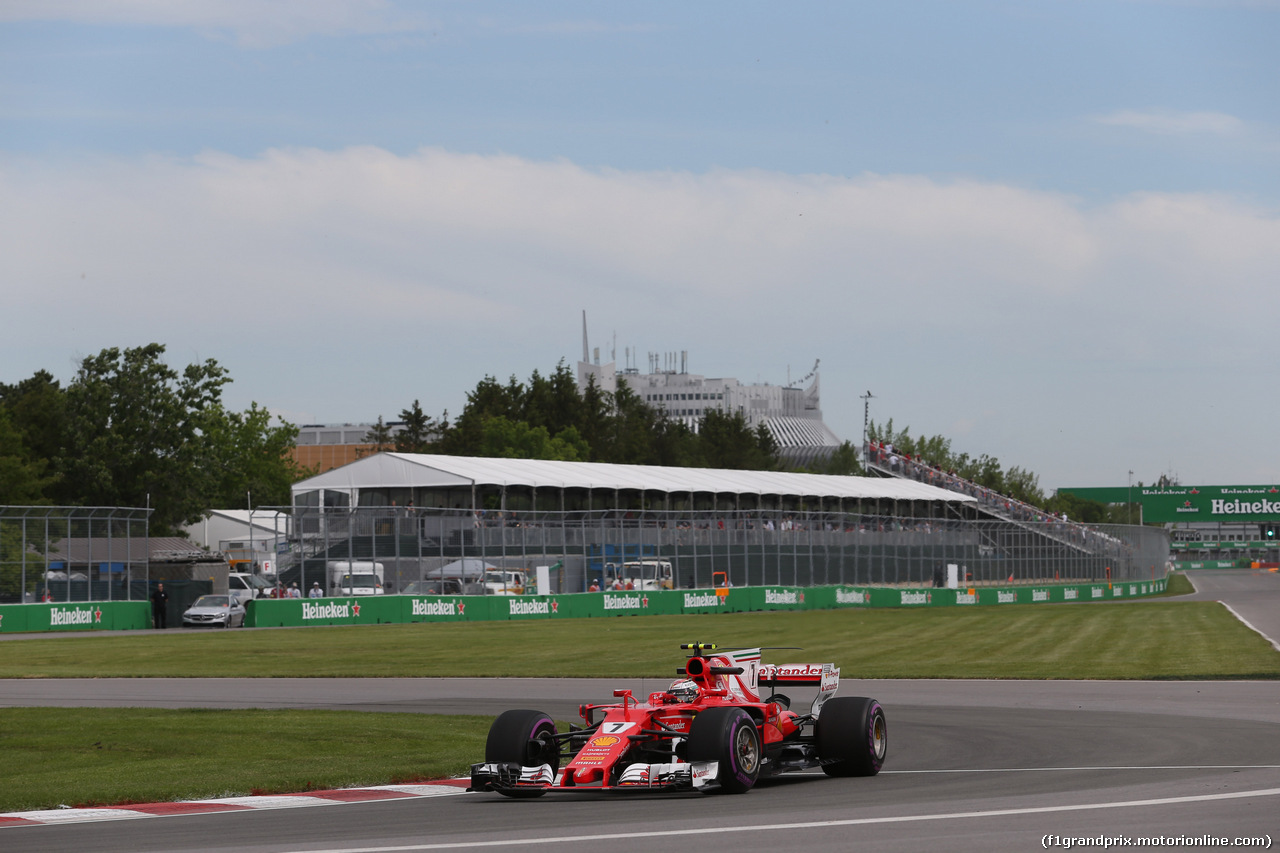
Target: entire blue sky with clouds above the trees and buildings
(1049, 231)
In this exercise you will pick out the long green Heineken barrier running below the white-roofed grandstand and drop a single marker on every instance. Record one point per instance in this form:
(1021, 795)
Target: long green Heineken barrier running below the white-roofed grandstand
(372, 610)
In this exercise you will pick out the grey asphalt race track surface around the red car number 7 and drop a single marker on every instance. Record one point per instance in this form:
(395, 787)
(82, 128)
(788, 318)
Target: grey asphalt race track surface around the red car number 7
(972, 767)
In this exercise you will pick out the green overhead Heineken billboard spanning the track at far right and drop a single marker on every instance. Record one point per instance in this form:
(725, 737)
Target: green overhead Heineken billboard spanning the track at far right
(1188, 504)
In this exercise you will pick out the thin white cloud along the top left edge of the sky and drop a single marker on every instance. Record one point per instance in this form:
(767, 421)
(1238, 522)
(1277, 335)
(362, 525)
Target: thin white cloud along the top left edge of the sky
(253, 24)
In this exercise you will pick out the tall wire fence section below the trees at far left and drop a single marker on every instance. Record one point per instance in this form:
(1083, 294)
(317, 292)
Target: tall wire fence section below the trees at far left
(74, 554)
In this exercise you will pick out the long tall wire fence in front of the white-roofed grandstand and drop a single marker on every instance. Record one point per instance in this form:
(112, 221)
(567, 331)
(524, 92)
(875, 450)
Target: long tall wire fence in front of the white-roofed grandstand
(749, 549)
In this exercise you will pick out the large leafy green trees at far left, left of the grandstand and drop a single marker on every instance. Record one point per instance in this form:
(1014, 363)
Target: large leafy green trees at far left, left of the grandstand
(131, 431)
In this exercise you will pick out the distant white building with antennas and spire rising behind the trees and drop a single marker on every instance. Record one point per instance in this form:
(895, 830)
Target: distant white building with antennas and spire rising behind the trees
(790, 413)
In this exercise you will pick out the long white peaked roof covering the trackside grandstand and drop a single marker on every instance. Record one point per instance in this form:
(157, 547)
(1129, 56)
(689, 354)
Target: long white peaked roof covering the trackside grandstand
(410, 471)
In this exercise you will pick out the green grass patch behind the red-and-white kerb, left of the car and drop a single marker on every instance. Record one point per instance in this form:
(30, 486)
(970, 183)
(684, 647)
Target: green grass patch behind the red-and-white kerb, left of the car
(112, 756)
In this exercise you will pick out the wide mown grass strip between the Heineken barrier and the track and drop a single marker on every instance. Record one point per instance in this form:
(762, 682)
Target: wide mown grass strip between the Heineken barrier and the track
(1117, 641)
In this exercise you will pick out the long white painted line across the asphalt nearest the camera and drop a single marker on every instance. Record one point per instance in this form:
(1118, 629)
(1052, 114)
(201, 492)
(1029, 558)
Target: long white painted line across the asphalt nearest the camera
(787, 828)
